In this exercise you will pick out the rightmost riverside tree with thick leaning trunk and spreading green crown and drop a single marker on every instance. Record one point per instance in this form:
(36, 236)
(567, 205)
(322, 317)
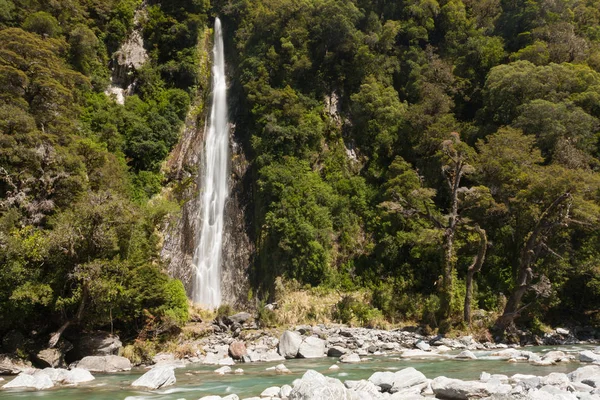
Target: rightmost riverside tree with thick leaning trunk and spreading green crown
(542, 200)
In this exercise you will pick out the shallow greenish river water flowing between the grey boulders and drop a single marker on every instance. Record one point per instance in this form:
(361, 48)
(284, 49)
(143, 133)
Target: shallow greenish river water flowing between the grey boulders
(197, 381)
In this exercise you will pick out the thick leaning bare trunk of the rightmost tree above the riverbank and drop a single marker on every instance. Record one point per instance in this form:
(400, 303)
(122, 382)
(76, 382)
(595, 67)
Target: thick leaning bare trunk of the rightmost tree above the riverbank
(528, 257)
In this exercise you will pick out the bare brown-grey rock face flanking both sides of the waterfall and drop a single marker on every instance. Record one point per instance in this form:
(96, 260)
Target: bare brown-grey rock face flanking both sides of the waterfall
(184, 171)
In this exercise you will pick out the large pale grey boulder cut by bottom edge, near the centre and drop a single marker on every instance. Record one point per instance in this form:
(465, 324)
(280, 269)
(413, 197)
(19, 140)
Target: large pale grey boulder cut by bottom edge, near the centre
(314, 386)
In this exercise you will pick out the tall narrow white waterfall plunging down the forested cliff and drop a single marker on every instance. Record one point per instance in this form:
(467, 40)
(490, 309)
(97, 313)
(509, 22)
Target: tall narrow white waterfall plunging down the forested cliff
(206, 289)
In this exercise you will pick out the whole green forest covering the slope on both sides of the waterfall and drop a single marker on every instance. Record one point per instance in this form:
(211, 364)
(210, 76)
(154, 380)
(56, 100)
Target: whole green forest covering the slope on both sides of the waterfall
(441, 155)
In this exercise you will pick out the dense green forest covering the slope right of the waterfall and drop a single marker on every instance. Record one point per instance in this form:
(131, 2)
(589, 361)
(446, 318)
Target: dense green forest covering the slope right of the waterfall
(397, 145)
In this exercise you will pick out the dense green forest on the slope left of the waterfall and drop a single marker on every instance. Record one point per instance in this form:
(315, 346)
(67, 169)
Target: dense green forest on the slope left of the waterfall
(78, 239)
